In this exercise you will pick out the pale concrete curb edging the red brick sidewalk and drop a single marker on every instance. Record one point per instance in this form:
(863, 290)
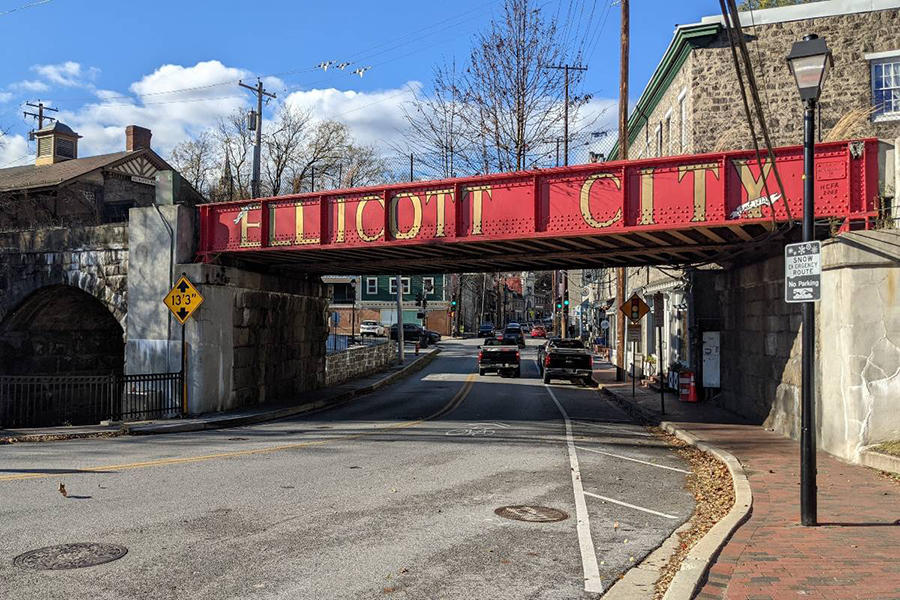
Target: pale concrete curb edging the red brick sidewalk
(690, 575)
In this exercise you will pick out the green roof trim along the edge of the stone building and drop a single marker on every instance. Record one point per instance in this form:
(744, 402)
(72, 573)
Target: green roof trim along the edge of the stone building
(686, 39)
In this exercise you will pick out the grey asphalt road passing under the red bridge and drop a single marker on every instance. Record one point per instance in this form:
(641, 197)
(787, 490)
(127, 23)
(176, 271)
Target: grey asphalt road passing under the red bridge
(390, 496)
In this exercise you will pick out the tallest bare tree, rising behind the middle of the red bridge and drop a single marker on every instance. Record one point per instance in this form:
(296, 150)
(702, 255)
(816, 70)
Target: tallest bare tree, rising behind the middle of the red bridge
(507, 104)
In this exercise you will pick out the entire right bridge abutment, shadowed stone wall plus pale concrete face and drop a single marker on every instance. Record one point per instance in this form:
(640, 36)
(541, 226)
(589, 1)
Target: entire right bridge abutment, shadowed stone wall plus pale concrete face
(857, 342)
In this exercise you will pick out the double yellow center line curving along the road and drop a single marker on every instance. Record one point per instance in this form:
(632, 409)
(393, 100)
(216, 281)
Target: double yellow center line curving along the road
(452, 405)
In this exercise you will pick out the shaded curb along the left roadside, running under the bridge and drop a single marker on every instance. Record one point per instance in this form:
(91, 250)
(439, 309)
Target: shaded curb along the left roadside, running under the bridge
(290, 411)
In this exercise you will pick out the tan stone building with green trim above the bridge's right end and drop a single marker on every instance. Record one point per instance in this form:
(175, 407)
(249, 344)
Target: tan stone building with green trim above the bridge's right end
(692, 104)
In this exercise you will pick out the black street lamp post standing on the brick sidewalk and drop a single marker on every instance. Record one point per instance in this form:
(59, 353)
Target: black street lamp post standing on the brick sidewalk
(809, 62)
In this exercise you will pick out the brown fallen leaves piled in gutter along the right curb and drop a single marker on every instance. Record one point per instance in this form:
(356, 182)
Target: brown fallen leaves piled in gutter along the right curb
(713, 490)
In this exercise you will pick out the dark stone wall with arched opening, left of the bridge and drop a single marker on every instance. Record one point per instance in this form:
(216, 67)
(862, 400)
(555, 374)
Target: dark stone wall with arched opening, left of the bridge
(63, 300)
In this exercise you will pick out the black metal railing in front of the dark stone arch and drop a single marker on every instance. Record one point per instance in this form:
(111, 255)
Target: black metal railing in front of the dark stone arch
(49, 400)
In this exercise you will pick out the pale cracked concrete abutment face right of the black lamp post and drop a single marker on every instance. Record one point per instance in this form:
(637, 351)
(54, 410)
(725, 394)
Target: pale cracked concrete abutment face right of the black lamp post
(858, 331)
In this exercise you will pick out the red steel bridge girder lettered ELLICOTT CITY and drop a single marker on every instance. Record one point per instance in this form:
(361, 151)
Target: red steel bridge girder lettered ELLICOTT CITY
(592, 201)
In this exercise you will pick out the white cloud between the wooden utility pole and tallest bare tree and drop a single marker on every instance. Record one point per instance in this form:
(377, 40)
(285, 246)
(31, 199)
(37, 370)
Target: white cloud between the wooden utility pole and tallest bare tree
(373, 117)
